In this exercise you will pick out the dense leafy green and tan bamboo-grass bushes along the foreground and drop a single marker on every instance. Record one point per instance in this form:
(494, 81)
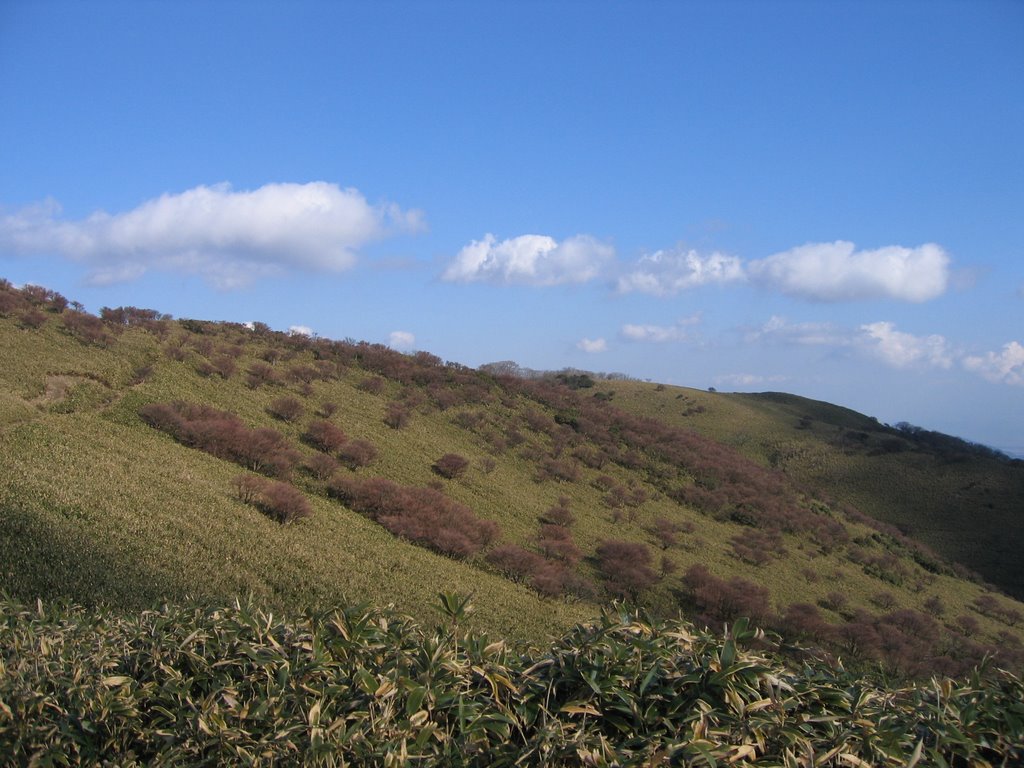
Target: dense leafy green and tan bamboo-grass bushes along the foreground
(235, 686)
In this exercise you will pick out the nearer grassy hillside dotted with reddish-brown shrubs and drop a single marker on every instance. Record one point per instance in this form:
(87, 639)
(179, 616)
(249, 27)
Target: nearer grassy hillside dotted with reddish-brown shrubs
(149, 459)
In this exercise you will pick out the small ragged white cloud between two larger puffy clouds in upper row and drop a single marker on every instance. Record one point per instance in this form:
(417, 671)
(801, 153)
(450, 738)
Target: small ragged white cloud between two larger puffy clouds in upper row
(667, 273)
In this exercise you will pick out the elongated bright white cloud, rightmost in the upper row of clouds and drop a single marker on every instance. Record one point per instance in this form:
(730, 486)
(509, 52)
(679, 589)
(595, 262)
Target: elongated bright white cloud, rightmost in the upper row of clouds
(836, 272)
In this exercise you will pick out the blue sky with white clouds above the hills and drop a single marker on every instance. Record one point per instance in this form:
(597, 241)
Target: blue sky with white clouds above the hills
(821, 198)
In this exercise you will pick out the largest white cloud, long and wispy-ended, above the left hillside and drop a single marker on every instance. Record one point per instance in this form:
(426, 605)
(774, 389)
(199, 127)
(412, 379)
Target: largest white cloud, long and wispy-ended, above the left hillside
(229, 238)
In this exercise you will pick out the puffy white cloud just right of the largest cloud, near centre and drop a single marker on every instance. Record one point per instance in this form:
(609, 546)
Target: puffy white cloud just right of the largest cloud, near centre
(530, 260)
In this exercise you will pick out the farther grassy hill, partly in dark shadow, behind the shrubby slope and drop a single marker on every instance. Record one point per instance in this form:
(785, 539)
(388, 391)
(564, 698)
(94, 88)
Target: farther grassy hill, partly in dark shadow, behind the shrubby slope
(969, 509)
